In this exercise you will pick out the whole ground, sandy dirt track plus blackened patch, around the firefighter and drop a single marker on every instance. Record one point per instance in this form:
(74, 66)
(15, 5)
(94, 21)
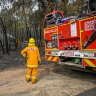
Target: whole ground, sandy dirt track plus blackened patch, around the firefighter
(53, 79)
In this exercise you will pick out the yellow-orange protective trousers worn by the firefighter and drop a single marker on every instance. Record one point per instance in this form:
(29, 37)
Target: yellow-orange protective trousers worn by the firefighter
(31, 72)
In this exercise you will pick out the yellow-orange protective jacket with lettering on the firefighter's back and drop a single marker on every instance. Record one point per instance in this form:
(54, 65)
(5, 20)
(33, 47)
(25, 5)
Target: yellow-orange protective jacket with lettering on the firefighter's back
(33, 55)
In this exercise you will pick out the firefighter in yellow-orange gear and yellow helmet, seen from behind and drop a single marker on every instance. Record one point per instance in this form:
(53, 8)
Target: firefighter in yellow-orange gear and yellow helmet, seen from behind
(31, 52)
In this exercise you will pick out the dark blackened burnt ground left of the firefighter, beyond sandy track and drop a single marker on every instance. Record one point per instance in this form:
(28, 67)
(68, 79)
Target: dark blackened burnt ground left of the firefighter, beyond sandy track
(12, 60)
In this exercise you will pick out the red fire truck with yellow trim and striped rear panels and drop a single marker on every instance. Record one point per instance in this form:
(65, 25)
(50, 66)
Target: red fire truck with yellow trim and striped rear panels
(71, 40)
